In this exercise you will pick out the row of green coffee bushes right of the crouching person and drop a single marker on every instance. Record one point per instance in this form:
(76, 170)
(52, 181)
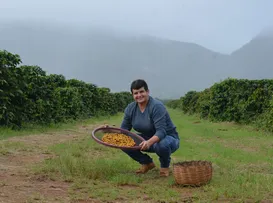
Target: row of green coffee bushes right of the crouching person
(239, 100)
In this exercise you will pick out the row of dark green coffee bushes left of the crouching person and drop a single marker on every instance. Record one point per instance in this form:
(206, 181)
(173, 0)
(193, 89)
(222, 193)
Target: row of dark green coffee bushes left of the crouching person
(29, 95)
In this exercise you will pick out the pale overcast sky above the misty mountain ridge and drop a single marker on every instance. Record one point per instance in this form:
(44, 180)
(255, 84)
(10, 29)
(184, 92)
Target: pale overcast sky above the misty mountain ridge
(220, 25)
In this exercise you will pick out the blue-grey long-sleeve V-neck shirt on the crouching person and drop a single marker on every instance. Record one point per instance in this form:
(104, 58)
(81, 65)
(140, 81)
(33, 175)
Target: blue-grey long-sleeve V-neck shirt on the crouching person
(155, 120)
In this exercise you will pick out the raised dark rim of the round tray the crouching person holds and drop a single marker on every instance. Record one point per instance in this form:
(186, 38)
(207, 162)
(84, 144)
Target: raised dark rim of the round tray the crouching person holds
(115, 146)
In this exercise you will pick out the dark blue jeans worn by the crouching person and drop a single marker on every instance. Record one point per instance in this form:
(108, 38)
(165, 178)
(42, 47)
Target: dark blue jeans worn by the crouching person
(164, 148)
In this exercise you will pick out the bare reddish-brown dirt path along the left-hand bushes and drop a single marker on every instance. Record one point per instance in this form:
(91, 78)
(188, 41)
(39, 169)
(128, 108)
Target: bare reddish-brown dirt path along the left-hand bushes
(17, 183)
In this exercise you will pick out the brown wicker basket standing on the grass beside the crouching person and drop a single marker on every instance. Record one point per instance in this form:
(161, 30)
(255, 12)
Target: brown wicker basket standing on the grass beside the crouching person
(192, 173)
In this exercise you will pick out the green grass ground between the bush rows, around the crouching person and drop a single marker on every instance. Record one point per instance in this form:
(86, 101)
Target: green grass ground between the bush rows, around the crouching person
(242, 161)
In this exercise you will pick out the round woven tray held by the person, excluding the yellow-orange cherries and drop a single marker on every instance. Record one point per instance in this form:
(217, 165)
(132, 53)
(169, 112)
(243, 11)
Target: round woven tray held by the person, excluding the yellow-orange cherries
(98, 133)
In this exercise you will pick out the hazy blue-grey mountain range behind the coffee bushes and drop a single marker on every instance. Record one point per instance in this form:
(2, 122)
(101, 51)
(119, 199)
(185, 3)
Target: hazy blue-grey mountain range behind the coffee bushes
(113, 60)
